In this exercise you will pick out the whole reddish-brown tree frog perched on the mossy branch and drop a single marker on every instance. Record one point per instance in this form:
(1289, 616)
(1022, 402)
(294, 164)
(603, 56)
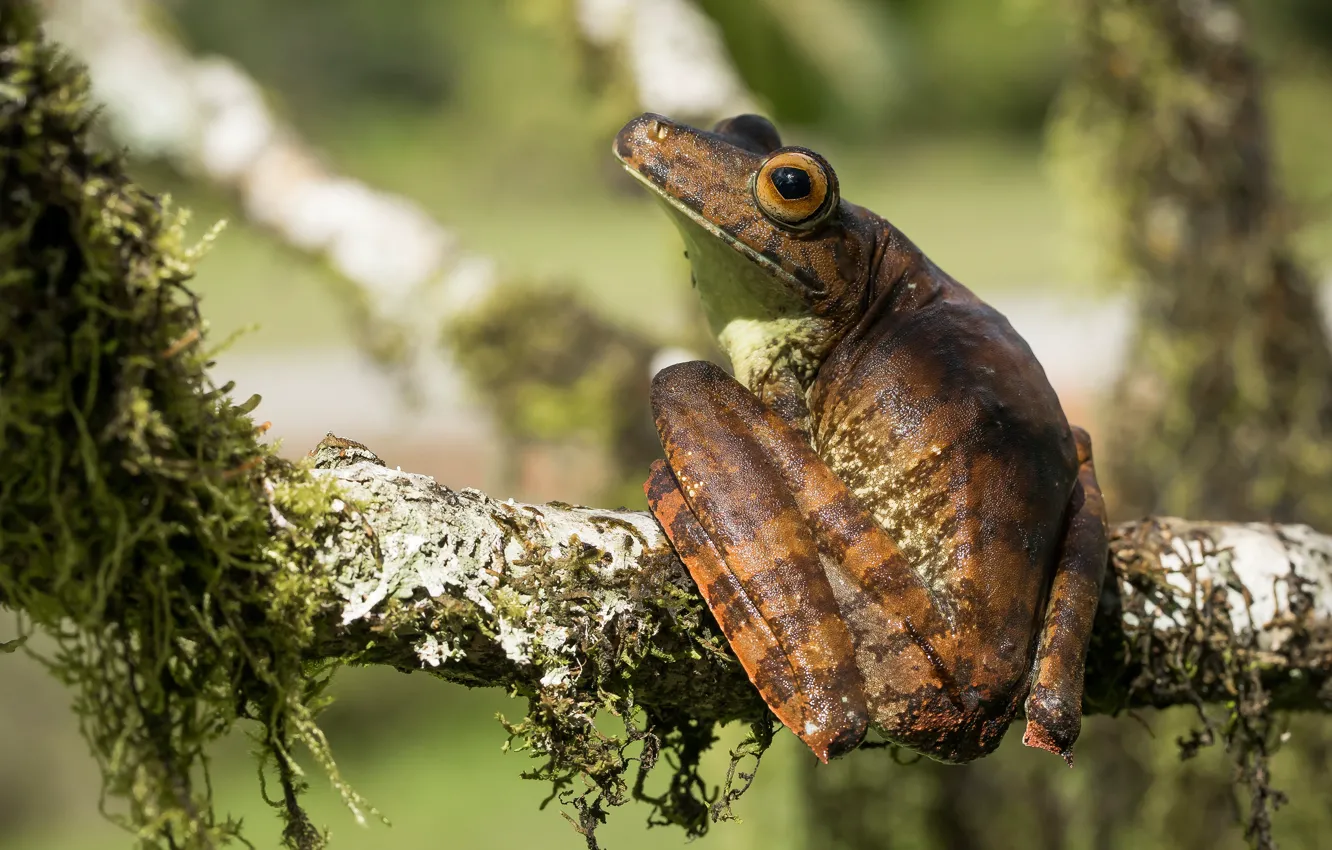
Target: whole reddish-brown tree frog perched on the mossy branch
(886, 508)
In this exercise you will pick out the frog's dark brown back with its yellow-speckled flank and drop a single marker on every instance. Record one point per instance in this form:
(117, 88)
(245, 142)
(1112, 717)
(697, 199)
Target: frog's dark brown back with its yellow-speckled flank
(941, 420)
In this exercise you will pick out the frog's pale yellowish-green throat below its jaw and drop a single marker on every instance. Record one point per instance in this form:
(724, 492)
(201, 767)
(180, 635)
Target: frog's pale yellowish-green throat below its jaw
(763, 324)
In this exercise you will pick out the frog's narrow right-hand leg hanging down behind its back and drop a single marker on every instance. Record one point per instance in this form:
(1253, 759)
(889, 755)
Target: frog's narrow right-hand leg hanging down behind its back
(1054, 704)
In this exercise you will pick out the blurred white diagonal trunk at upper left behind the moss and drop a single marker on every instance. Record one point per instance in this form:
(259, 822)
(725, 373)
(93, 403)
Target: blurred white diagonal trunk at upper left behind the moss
(211, 121)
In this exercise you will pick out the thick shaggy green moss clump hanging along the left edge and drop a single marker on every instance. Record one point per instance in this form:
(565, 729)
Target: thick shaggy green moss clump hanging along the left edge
(172, 556)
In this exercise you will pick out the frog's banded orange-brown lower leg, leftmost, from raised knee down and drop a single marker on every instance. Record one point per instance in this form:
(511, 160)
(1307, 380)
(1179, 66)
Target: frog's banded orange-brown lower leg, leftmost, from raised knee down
(737, 527)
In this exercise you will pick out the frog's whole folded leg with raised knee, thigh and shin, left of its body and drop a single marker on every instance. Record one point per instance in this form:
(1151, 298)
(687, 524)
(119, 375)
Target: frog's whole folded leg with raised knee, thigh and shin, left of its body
(808, 588)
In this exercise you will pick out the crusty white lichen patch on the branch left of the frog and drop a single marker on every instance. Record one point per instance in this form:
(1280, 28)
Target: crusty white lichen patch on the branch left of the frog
(435, 543)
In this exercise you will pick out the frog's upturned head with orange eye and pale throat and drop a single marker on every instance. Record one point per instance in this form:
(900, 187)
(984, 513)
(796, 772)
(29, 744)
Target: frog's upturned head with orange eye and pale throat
(783, 264)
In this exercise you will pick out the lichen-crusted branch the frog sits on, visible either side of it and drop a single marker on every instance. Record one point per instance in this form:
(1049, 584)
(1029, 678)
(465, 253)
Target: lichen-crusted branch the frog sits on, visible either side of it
(501, 594)
